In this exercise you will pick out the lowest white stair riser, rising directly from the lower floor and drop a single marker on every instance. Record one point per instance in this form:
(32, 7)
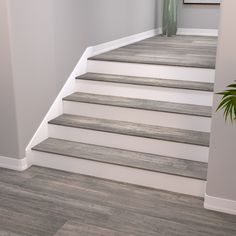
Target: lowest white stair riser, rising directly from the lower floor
(119, 173)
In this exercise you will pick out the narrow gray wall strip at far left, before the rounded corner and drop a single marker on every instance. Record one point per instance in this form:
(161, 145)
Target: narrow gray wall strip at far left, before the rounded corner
(8, 125)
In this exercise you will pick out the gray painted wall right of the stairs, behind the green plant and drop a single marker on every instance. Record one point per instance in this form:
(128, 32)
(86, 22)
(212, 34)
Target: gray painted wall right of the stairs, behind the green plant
(222, 163)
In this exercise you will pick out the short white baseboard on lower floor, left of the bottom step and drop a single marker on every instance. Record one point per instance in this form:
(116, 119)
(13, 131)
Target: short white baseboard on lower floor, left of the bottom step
(14, 164)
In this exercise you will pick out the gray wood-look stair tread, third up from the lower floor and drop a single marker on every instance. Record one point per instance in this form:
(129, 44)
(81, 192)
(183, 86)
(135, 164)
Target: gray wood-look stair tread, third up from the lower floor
(143, 104)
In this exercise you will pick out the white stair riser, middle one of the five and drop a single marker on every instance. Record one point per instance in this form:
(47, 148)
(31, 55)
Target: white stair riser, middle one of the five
(139, 116)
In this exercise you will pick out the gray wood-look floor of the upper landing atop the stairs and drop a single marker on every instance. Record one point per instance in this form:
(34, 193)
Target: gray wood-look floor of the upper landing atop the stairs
(188, 51)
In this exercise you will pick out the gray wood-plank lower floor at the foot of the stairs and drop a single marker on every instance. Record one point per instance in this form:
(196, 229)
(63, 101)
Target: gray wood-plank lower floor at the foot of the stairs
(47, 202)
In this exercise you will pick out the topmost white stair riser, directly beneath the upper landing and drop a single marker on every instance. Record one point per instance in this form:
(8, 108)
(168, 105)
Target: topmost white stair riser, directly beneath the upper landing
(153, 71)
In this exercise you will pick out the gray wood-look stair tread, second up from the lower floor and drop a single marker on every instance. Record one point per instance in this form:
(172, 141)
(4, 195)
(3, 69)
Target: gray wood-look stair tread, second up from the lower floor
(133, 129)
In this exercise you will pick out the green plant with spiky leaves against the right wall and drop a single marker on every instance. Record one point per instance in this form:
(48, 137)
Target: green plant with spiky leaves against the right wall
(228, 103)
